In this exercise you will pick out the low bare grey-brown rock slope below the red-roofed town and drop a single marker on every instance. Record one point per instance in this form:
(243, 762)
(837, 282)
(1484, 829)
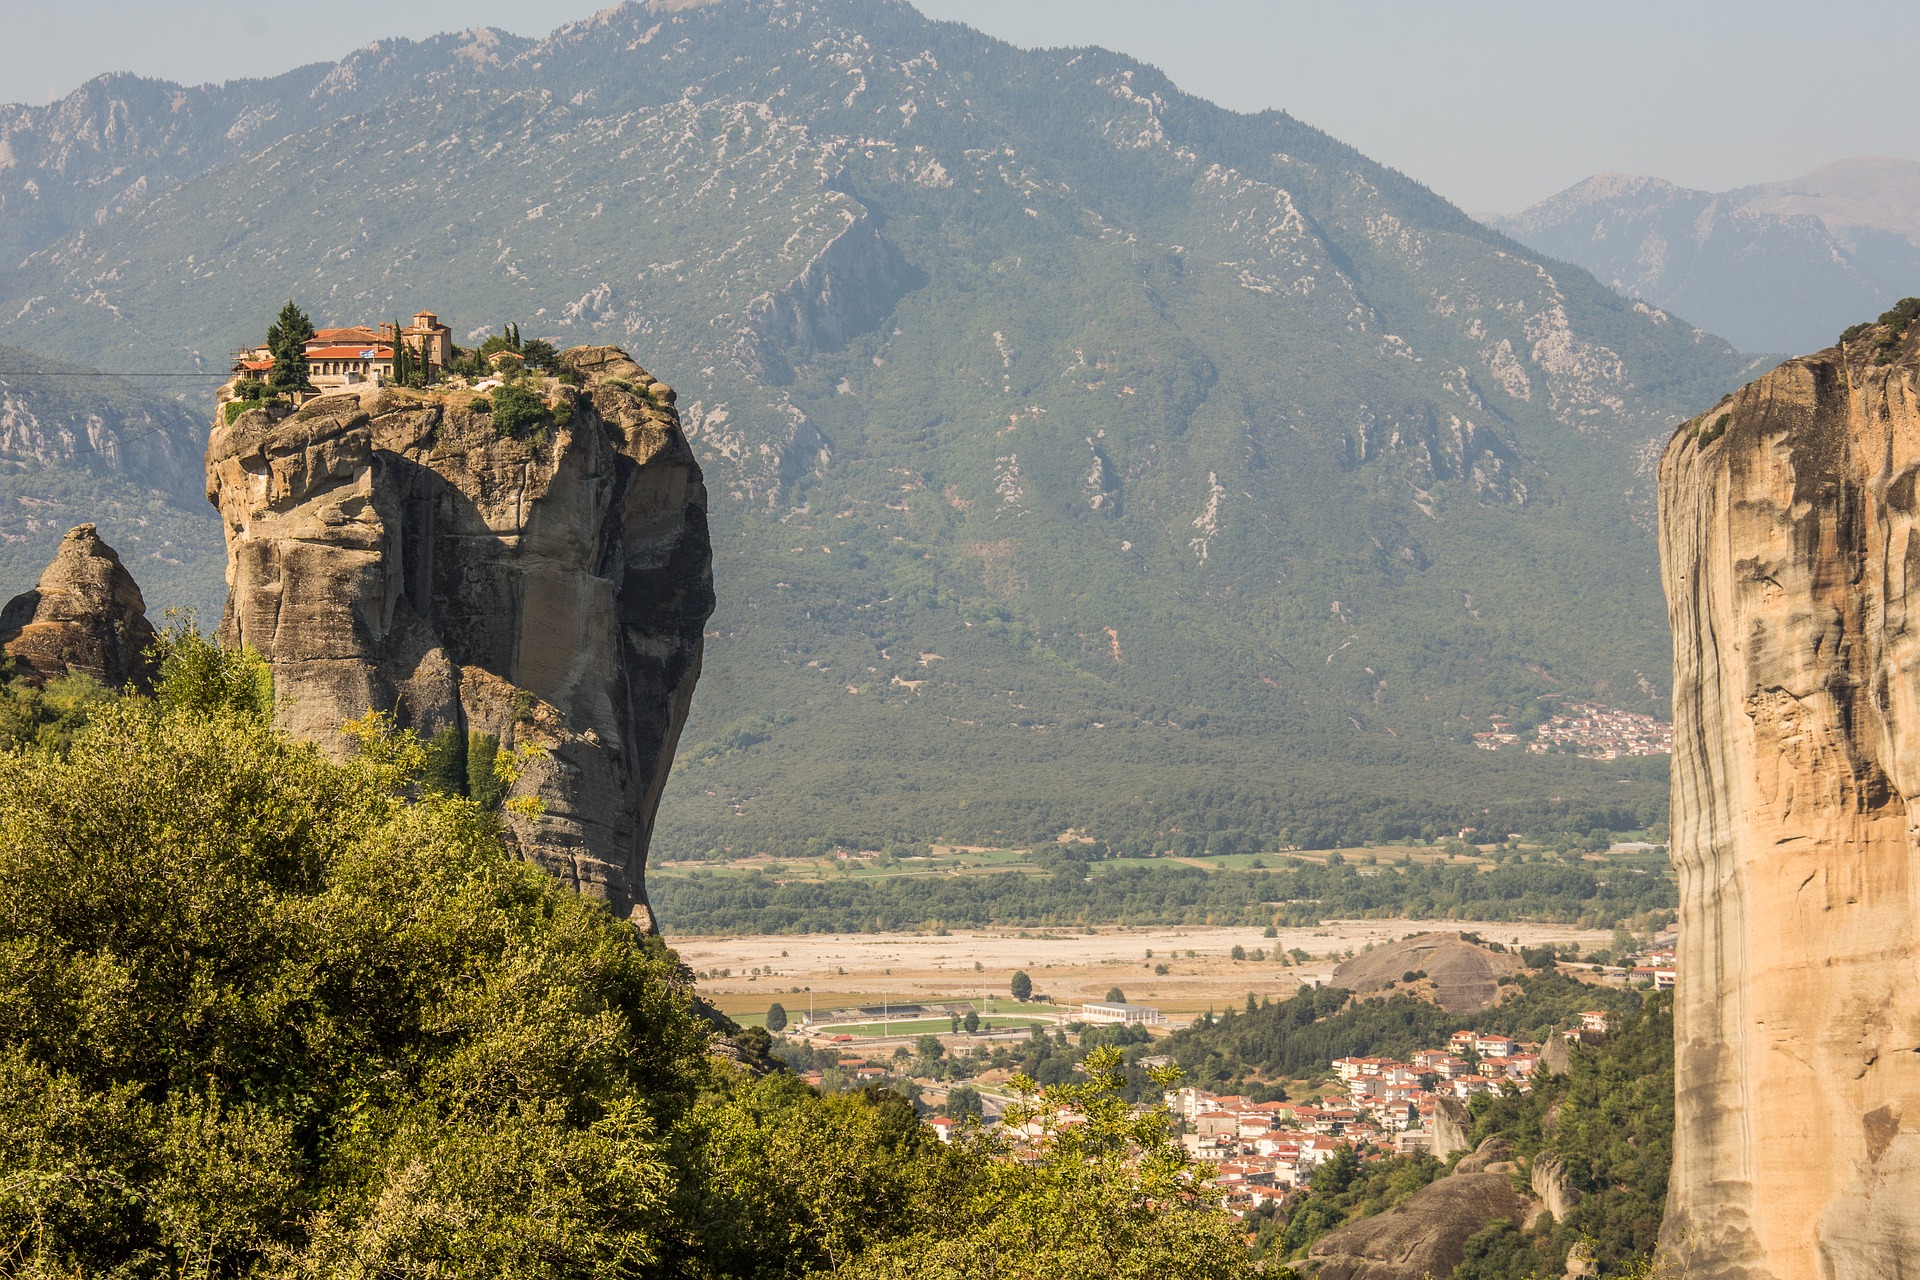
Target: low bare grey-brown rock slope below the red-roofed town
(1428, 1233)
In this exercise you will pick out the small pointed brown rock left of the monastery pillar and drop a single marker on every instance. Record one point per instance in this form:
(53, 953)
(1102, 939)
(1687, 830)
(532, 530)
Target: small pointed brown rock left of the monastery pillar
(84, 617)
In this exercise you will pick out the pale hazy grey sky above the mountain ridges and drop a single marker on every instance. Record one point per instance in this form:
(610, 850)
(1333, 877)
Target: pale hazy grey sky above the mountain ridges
(1491, 105)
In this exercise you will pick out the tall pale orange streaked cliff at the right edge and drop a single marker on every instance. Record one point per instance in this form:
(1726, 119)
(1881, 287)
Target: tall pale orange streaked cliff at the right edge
(1792, 563)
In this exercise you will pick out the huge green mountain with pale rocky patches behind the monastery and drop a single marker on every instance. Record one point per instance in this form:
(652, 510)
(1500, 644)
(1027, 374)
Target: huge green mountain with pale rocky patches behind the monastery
(1084, 456)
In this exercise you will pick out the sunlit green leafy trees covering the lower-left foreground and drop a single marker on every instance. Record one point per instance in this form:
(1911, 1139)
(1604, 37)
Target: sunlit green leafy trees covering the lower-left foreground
(272, 1016)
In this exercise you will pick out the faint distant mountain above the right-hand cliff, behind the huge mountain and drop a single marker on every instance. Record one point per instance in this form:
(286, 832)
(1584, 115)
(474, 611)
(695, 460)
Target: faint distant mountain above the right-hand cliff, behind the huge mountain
(1771, 268)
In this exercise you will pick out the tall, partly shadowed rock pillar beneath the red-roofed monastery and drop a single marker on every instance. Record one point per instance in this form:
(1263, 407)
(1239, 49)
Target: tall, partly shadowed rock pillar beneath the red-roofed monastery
(391, 550)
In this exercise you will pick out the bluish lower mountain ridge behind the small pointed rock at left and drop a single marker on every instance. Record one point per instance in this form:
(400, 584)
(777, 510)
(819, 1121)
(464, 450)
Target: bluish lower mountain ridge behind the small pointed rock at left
(82, 448)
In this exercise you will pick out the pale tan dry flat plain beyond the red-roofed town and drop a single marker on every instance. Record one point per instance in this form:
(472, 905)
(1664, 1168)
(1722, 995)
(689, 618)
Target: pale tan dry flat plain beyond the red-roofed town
(867, 968)
